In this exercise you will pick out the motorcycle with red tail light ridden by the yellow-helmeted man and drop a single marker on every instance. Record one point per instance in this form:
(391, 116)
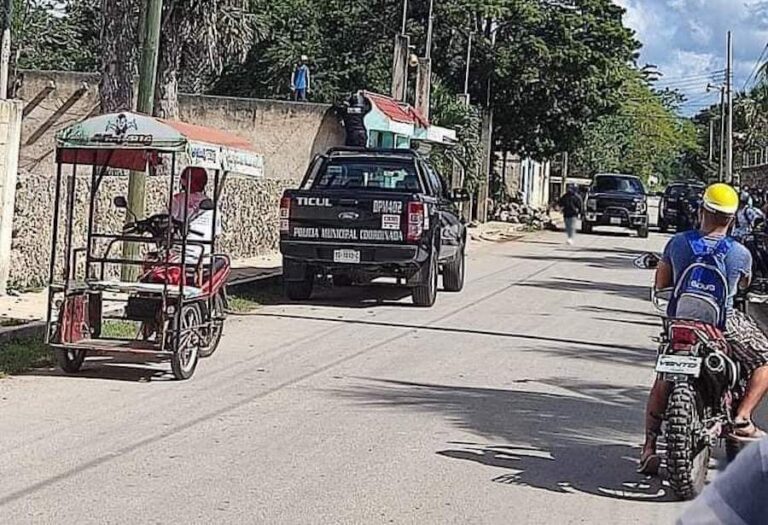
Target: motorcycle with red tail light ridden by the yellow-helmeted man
(707, 385)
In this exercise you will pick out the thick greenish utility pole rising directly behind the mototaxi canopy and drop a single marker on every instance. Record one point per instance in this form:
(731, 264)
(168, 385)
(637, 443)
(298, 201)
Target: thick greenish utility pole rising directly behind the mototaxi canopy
(137, 181)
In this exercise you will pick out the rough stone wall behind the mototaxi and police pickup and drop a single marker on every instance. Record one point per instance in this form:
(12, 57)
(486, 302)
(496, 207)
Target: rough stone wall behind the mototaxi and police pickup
(287, 134)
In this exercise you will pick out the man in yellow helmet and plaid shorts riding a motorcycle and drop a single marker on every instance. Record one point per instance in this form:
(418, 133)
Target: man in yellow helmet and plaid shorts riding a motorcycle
(750, 345)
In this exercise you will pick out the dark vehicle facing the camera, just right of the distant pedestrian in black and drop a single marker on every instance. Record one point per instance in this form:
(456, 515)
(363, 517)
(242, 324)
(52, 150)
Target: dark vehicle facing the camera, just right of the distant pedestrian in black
(616, 200)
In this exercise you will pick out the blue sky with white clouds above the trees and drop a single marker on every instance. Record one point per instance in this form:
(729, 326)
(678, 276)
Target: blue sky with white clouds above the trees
(686, 40)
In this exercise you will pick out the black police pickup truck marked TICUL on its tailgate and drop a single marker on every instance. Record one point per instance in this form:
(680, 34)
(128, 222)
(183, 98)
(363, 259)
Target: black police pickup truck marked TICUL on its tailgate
(361, 214)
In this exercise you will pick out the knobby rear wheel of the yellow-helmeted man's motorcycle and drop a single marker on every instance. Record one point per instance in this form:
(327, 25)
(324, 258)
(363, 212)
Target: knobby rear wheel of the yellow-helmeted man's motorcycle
(687, 457)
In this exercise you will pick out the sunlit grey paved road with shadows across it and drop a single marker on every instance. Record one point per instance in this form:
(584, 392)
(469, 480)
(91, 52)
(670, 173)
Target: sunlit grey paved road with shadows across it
(519, 400)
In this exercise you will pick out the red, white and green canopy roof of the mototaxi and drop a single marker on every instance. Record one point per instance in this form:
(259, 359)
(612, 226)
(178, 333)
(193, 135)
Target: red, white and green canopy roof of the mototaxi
(134, 141)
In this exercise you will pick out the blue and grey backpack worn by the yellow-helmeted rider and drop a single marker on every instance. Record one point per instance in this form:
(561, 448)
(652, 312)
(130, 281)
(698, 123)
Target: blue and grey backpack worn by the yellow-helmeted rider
(701, 293)
